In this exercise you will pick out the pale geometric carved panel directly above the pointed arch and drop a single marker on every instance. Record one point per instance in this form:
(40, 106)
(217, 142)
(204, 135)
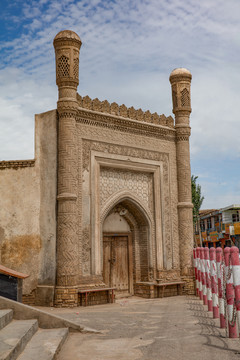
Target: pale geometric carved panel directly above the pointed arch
(114, 180)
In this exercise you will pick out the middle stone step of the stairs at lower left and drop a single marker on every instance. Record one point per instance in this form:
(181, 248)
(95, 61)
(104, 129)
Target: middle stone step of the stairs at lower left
(15, 336)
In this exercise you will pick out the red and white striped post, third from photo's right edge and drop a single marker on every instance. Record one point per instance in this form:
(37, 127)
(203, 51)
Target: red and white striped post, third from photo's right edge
(220, 269)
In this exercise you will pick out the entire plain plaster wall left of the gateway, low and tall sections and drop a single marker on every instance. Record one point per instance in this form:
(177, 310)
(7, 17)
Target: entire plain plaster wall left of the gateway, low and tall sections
(28, 210)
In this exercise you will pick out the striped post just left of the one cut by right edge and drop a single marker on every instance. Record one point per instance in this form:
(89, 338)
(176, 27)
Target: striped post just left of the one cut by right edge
(232, 326)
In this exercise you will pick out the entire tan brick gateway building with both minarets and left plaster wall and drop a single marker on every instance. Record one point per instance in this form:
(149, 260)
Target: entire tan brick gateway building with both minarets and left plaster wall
(107, 199)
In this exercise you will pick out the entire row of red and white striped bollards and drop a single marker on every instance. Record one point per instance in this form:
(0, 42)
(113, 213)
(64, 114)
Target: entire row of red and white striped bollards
(217, 276)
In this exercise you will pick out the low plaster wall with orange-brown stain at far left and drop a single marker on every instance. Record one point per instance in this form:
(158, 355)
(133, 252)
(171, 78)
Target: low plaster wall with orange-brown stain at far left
(20, 240)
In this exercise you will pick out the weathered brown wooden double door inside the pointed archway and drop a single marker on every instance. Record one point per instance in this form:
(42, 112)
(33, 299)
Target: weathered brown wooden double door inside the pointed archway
(117, 264)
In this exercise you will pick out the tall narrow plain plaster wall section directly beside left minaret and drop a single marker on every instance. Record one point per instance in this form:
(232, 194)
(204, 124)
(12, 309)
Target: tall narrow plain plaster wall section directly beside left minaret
(46, 163)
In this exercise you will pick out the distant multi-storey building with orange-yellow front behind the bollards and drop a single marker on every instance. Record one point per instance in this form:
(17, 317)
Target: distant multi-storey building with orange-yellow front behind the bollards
(219, 227)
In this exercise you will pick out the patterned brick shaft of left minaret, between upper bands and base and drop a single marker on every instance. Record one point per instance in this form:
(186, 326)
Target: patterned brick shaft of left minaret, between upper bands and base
(67, 246)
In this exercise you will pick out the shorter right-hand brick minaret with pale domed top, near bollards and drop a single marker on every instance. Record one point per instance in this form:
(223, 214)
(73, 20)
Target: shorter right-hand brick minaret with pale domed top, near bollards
(181, 82)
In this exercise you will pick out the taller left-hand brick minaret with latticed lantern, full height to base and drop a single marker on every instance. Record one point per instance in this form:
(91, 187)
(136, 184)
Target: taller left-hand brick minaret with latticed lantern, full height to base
(67, 46)
